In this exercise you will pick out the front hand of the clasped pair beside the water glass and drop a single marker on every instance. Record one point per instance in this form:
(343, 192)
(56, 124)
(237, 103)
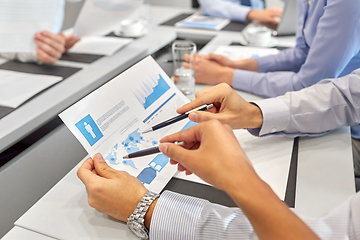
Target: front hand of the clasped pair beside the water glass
(209, 72)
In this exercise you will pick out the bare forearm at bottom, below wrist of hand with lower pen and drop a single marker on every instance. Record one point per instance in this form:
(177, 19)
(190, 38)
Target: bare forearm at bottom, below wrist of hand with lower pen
(269, 216)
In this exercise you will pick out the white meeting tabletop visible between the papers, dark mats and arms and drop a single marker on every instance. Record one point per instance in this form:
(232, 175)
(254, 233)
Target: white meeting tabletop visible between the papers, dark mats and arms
(68, 197)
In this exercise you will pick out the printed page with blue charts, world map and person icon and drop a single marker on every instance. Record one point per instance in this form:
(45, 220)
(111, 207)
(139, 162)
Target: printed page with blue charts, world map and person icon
(111, 120)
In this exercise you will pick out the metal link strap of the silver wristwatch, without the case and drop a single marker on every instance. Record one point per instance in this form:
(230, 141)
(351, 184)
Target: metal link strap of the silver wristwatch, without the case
(142, 207)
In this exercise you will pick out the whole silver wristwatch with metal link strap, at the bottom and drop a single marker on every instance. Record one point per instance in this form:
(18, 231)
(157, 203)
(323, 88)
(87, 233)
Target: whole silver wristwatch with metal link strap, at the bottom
(136, 220)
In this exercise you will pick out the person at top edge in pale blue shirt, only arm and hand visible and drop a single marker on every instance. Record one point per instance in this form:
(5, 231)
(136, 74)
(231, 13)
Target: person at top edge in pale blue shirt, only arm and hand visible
(242, 10)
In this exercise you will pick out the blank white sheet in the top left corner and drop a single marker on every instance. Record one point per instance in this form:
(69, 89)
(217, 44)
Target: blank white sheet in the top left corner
(21, 19)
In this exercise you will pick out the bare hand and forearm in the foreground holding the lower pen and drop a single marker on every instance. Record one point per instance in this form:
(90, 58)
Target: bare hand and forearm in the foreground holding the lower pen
(212, 152)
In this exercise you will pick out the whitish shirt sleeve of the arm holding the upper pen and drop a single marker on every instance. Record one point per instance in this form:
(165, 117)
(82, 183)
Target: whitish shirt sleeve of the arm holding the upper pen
(327, 105)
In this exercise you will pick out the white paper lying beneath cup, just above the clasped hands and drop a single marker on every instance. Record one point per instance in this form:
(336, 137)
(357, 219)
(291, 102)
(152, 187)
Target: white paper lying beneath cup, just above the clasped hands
(237, 53)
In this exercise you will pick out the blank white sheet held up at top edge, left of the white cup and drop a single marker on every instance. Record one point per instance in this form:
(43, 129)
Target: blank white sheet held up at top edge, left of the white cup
(100, 17)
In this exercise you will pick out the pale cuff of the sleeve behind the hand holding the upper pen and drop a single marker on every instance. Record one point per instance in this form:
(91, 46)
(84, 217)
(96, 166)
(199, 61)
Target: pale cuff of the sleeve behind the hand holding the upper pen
(276, 116)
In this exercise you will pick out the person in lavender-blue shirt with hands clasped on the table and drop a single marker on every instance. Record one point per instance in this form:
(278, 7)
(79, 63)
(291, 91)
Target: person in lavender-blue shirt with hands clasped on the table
(327, 46)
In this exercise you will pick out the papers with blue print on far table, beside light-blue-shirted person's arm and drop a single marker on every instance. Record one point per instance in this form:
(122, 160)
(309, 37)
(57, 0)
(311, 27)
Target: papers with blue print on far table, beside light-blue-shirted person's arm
(200, 21)
